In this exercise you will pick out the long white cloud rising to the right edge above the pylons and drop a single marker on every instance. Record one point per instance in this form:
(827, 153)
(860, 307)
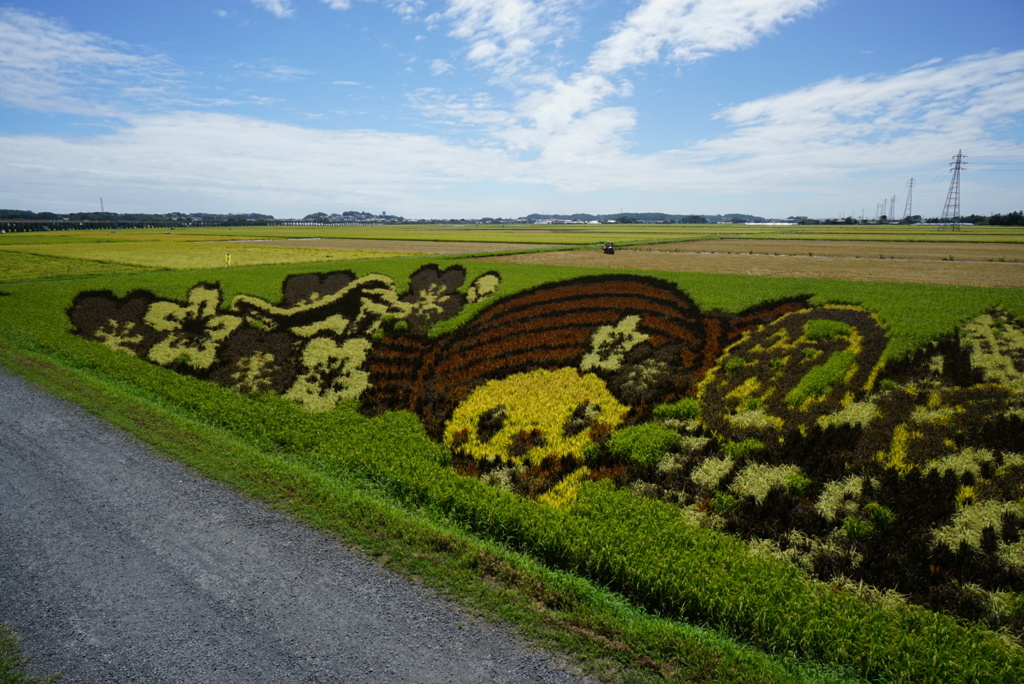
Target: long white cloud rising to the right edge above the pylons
(838, 137)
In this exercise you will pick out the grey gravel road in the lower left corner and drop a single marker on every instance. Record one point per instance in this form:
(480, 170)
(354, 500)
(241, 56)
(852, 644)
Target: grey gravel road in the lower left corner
(118, 566)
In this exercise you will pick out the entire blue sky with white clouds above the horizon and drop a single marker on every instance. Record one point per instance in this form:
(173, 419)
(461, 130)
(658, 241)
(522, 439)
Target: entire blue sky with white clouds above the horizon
(505, 108)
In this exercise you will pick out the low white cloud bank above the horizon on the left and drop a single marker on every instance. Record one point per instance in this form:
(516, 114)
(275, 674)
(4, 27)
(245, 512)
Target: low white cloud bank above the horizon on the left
(214, 160)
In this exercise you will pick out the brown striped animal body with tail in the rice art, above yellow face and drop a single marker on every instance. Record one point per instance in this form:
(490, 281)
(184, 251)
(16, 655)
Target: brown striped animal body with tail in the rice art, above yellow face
(649, 341)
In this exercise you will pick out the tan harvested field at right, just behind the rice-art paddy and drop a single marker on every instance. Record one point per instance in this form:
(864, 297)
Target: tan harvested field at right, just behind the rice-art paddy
(994, 266)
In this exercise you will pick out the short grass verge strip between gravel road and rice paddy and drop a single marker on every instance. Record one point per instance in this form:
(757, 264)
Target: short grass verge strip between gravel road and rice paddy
(603, 634)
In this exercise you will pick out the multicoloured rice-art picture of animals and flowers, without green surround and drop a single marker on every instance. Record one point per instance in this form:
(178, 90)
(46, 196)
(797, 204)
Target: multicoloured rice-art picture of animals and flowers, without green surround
(781, 425)
